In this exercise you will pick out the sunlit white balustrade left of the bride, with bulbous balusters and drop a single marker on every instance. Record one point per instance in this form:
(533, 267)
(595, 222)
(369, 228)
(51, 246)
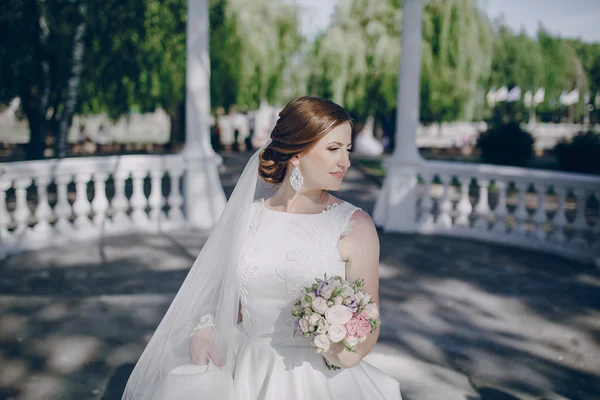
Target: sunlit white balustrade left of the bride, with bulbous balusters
(60, 211)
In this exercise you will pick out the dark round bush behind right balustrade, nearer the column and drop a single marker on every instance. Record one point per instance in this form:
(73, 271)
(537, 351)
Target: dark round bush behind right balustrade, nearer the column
(506, 144)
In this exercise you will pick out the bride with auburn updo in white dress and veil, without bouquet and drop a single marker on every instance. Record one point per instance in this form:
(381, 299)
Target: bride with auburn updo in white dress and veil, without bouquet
(281, 229)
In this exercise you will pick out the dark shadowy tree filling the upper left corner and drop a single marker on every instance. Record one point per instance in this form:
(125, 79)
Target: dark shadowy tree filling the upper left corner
(41, 63)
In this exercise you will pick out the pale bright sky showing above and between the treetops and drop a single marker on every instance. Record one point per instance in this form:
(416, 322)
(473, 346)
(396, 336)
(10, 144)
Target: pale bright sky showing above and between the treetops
(566, 18)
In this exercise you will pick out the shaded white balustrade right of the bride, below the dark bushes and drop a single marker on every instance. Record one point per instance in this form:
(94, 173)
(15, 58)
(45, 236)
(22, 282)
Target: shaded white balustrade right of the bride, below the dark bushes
(558, 194)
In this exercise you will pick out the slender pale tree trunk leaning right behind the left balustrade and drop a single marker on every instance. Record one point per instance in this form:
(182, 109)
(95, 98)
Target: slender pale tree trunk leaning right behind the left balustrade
(72, 85)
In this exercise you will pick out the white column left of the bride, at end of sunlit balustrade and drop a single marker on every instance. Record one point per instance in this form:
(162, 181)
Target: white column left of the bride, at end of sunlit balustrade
(203, 193)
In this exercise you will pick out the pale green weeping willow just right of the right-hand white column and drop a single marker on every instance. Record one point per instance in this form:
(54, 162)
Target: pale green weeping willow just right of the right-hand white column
(457, 47)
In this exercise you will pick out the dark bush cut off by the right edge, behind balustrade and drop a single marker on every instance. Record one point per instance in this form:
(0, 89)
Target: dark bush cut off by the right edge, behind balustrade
(580, 154)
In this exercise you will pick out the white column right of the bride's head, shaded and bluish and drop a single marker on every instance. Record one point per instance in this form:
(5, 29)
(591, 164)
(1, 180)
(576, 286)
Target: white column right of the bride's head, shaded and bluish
(396, 208)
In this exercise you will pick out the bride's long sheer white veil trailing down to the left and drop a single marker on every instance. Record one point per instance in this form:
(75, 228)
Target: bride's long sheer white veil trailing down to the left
(211, 287)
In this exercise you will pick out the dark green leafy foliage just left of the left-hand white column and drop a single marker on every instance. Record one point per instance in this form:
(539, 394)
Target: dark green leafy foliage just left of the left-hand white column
(136, 56)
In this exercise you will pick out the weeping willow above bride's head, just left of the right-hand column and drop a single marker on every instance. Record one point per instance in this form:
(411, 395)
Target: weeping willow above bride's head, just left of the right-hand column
(356, 59)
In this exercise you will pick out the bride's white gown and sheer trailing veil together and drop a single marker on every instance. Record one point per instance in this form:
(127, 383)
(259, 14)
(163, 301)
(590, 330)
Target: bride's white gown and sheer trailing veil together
(260, 261)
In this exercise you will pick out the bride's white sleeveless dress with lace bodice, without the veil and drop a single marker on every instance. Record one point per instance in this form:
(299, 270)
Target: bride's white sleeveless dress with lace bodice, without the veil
(283, 253)
